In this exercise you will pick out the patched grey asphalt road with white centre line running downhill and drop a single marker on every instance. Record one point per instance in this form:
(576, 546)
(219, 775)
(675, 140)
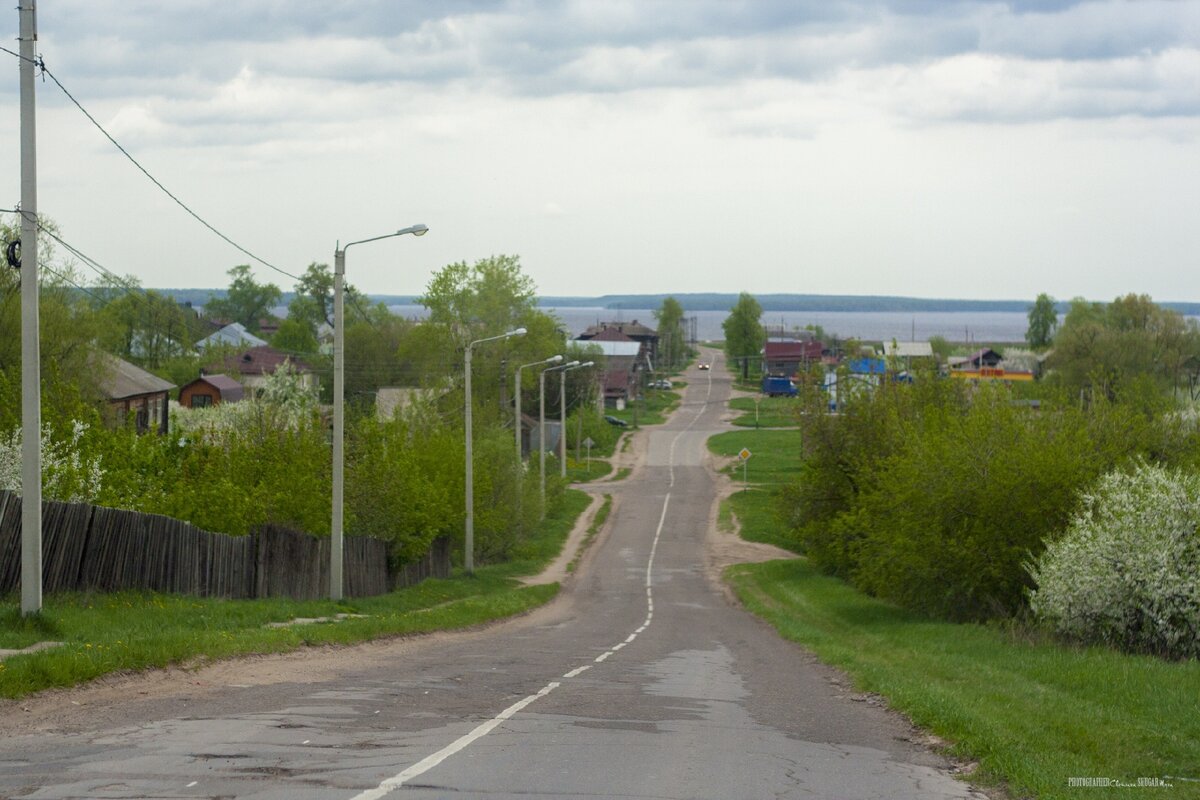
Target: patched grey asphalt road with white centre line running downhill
(641, 681)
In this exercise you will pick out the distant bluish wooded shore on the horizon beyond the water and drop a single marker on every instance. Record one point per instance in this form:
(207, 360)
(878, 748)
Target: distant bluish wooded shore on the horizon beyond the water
(721, 302)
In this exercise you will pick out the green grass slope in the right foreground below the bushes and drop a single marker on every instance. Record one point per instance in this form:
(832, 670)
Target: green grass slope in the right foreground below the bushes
(1033, 713)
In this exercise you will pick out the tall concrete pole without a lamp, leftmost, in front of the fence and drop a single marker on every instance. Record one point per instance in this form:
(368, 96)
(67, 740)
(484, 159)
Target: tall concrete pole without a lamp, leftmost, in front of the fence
(31, 346)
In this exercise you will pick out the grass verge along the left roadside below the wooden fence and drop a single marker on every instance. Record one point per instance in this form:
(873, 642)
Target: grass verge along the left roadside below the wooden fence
(129, 631)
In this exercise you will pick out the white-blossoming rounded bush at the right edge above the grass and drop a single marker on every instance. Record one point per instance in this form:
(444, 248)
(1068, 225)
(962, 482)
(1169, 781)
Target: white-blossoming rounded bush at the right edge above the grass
(1127, 572)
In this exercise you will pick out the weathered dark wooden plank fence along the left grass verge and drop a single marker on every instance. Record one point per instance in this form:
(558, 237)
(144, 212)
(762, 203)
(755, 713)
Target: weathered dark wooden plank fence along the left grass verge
(92, 549)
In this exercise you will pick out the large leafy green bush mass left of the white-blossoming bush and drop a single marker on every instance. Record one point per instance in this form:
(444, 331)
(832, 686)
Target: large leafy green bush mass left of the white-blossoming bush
(935, 495)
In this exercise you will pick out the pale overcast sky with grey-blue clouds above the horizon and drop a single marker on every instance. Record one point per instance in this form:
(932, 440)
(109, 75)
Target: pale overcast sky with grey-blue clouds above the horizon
(928, 149)
